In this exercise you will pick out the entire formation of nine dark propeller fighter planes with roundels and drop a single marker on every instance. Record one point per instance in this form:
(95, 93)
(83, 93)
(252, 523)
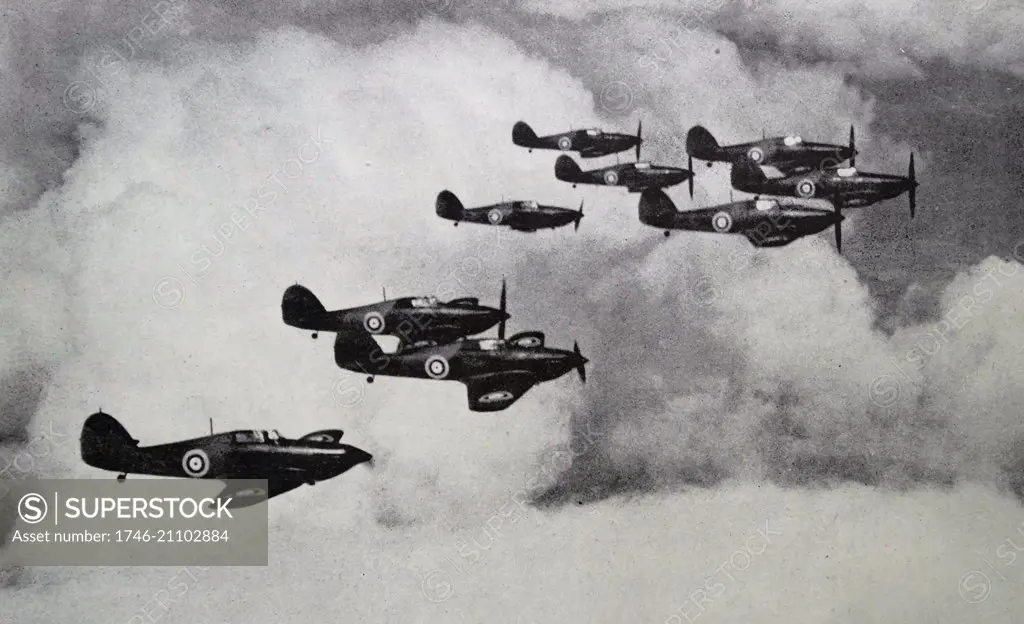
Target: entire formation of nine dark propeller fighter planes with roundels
(436, 338)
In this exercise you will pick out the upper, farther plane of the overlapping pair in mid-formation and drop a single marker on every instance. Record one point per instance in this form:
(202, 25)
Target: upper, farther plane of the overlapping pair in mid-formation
(410, 319)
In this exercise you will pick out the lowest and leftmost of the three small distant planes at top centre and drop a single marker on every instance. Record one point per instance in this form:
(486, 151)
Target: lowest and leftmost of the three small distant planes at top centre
(520, 216)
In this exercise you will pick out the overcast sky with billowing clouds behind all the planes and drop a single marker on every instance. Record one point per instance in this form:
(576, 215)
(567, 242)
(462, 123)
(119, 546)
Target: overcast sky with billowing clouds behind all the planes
(766, 436)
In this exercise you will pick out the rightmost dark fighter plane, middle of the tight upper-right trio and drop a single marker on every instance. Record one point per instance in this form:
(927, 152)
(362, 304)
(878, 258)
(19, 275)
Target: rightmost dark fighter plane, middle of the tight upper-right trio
(855, 189)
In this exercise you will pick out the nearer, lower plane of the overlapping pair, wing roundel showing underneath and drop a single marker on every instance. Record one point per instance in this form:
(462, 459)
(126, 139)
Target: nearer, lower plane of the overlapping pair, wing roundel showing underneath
(497, 372)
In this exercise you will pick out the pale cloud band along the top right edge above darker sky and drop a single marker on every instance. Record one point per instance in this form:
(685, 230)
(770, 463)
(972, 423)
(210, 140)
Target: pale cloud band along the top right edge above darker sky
(877, 39)
